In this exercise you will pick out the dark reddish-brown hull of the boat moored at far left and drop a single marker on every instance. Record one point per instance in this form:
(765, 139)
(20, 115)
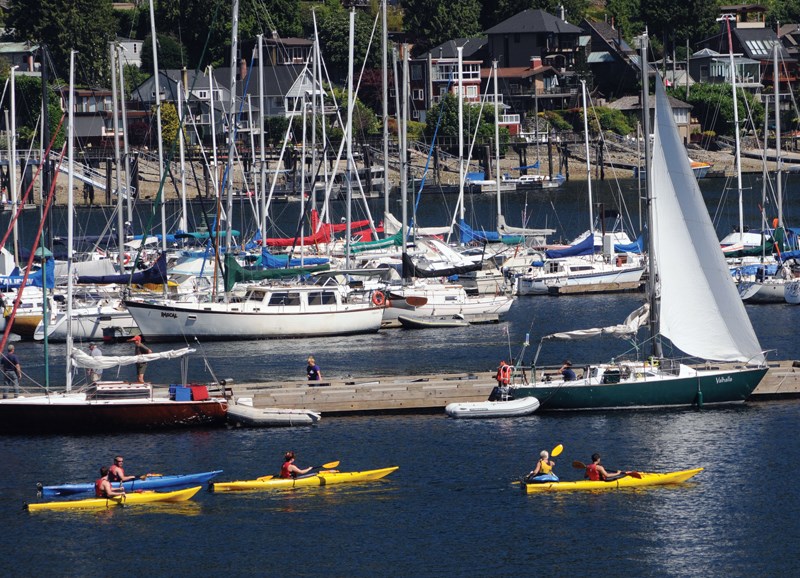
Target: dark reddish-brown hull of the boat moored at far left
(73, 413)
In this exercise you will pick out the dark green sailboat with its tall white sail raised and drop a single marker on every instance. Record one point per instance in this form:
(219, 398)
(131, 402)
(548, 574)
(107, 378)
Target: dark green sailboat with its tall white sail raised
(704, 318)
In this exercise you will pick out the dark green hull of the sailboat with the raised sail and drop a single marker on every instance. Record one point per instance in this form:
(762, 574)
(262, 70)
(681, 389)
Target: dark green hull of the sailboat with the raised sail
(710, 387)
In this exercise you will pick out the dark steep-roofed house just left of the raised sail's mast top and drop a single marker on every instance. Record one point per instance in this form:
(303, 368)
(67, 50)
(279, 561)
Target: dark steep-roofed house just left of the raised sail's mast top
(613, 63)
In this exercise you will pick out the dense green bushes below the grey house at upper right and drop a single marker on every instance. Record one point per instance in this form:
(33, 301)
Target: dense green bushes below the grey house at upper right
(713, 107)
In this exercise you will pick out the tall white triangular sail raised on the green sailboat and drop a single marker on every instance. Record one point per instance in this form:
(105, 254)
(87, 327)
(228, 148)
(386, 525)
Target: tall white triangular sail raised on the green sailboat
(701, 311)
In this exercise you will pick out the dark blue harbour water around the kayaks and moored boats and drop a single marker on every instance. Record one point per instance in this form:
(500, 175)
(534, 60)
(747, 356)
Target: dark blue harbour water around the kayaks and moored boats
(451, 508)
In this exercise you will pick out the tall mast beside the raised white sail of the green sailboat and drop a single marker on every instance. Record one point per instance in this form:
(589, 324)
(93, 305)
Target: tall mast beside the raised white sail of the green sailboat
(652, 269)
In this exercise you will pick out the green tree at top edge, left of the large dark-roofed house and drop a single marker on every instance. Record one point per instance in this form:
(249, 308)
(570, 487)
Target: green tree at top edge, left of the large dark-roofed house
(431, 22)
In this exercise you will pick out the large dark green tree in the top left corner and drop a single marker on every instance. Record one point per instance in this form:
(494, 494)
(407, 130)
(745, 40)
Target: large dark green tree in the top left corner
(85, 26)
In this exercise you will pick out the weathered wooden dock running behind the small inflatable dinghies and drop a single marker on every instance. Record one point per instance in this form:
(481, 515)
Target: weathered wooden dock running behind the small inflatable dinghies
(431, 393)
